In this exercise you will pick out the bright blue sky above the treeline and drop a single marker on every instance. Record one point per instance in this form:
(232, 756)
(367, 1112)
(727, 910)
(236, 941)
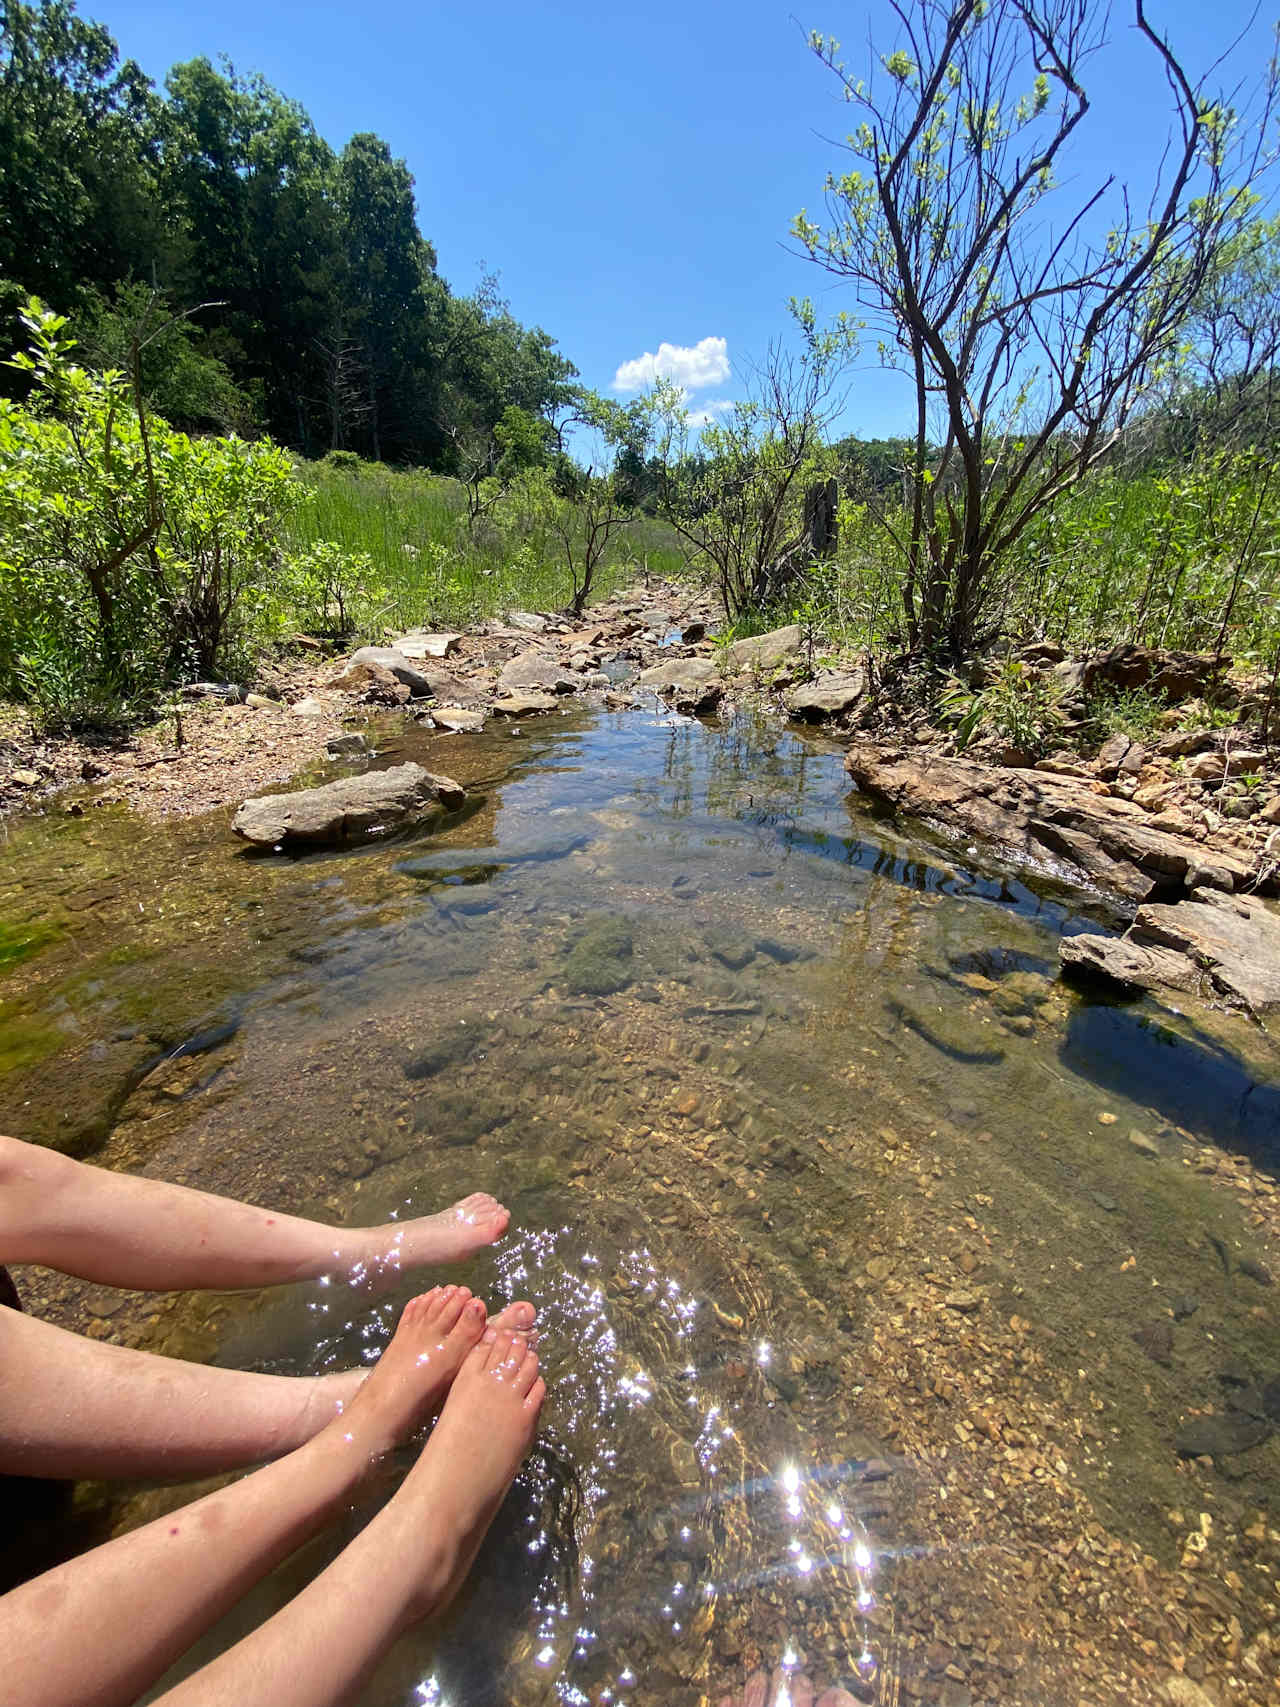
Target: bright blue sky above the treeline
(631, 172)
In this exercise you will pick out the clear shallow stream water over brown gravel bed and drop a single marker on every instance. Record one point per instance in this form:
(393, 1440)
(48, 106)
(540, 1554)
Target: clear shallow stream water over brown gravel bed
(876, 1269)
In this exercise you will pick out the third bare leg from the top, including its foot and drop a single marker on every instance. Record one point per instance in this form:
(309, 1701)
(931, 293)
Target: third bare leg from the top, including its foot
(102, 1629)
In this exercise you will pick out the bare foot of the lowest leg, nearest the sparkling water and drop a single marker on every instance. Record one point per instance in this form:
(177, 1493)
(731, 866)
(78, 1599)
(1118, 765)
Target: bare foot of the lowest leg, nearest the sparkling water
(453, 1493)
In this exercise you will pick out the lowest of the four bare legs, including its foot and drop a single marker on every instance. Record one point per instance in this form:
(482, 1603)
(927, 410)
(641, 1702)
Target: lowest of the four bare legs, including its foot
(405, 1564)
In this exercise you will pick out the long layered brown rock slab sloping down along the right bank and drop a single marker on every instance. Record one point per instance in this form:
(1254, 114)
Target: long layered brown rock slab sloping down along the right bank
(1064, 825)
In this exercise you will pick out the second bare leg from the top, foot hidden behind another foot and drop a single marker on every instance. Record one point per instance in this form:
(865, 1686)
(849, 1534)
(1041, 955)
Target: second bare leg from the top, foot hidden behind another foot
(76, 1407)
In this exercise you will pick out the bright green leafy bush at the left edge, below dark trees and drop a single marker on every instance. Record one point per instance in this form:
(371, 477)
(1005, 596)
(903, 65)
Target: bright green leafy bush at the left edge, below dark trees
(132, 554)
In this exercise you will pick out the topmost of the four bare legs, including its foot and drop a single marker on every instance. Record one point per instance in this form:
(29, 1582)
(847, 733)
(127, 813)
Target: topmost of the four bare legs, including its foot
(122, 1230)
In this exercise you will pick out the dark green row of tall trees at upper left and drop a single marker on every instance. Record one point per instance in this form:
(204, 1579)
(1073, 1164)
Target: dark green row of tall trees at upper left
(264, 281)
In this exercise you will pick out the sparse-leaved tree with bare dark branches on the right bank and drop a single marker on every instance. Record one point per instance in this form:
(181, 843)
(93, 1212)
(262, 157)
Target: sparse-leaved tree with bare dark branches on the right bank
(1028, 339)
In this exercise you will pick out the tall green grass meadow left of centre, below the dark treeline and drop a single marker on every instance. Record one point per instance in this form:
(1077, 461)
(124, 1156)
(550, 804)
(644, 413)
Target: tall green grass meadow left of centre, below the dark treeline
(431, 566)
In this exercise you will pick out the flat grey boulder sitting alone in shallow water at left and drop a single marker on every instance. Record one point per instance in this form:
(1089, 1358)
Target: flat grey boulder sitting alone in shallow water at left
(347, 810)
